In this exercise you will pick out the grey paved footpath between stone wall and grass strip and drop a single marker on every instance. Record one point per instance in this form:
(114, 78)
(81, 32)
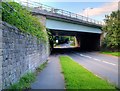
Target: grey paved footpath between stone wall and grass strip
(51, 76)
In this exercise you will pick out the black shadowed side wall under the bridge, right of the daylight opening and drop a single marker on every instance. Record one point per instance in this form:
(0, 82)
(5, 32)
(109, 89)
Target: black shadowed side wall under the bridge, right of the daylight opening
(90, 42)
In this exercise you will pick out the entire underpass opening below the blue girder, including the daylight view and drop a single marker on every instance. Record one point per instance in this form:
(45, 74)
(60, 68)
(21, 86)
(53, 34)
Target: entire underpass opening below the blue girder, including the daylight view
(71, 40)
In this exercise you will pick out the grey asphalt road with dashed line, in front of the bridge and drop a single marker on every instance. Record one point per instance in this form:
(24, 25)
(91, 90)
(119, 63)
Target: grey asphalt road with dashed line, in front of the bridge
(101, 65)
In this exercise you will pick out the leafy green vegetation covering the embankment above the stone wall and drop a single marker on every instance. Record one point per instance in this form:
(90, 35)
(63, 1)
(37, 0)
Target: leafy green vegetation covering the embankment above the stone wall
(14, 14)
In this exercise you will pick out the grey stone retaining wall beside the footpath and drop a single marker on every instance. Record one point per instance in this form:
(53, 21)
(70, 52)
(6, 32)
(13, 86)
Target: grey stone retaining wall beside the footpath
(21, 53)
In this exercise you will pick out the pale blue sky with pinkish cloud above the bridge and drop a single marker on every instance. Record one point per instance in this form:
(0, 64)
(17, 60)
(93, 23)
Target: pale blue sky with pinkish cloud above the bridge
(95, 9)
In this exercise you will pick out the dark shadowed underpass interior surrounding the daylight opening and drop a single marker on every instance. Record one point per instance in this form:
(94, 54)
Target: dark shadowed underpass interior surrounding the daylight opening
(83, 41)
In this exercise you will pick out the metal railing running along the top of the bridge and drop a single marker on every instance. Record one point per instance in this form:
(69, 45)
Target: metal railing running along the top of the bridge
(32, 6)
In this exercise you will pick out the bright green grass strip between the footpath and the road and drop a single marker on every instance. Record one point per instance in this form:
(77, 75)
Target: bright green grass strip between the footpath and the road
(77, 77)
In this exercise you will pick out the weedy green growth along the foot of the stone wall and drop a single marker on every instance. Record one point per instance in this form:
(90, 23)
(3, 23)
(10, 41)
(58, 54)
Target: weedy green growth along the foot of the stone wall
(26, 80)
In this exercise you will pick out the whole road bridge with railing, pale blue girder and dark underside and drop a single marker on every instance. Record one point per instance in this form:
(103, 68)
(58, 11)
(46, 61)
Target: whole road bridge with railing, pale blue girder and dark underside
(64, 23)
